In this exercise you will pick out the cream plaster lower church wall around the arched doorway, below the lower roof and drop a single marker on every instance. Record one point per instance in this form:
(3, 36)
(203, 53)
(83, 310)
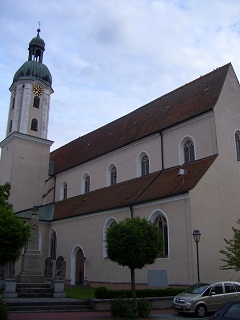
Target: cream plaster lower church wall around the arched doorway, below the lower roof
(87, 232)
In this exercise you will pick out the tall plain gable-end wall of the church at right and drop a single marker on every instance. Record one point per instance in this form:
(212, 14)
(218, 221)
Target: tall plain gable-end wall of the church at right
(215, 201)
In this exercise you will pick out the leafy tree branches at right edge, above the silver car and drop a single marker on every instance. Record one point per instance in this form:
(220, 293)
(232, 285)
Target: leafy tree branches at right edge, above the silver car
(232, 251)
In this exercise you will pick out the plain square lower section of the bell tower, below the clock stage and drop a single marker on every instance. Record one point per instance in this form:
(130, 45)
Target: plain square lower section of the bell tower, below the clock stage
(24, 163)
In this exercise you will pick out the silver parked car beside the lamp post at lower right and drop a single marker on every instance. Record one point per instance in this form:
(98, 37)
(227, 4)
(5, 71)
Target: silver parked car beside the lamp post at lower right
(205, 297)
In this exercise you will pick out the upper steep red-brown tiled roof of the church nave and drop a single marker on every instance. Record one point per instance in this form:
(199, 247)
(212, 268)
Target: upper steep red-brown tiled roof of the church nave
(186, 102)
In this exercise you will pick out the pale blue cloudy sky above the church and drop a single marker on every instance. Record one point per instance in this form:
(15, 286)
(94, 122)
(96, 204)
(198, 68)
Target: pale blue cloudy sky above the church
(109, 57)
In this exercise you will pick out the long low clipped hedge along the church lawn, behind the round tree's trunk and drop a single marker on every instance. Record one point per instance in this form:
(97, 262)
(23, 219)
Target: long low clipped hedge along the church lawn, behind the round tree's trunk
(104, 293)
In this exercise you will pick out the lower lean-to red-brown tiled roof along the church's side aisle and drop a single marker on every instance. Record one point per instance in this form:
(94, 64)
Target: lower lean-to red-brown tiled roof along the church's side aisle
(155, 186)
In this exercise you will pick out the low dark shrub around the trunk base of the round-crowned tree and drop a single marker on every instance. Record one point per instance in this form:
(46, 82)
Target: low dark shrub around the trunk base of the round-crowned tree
(121, 308)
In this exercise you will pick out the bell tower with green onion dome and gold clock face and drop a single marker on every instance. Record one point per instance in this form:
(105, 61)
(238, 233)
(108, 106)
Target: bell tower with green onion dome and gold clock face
(25, 150)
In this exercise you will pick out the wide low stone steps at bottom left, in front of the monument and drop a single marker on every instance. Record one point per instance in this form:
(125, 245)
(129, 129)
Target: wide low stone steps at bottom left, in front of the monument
(48, 305)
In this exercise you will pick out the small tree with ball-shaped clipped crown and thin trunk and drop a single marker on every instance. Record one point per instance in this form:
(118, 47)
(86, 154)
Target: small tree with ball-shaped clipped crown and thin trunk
(135, 243)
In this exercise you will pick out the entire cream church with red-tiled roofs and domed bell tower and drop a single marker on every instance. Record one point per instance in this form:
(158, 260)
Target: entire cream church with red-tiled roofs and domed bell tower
(174, 161)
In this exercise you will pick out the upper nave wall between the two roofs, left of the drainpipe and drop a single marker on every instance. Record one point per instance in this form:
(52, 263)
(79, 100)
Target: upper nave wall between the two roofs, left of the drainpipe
(125, 160)
